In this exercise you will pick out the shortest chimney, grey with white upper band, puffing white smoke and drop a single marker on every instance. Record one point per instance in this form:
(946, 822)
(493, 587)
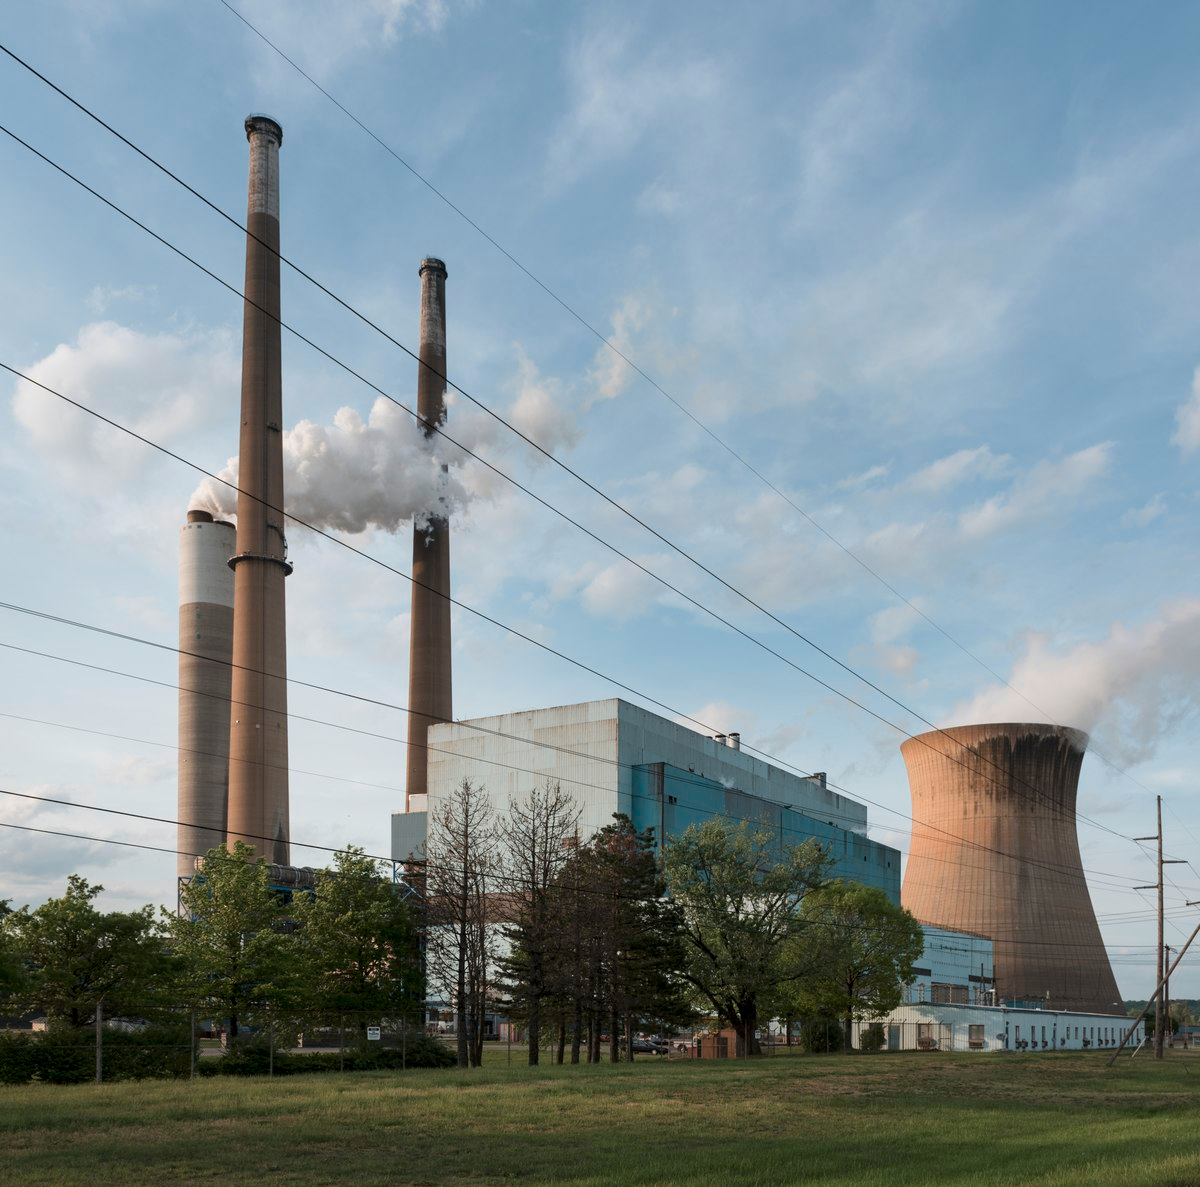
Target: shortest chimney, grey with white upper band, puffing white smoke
(206, 649)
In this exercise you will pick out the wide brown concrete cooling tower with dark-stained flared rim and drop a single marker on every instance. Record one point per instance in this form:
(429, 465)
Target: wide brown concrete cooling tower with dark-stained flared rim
(994, 852)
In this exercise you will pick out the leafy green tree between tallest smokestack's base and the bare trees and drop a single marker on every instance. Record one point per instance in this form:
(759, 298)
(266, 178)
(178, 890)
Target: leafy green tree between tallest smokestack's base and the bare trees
(358, 942)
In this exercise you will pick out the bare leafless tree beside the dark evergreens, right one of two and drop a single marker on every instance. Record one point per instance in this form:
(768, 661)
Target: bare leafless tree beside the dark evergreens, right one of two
(538, 837)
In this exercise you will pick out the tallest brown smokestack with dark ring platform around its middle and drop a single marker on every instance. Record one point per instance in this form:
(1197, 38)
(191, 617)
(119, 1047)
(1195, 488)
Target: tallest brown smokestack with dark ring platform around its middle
(259, 717)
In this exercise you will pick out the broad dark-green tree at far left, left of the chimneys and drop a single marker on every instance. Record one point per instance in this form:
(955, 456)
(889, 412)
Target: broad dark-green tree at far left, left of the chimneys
(76, 956)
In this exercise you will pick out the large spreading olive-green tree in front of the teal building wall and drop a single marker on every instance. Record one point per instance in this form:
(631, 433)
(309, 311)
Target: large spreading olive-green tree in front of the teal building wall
(740, 897)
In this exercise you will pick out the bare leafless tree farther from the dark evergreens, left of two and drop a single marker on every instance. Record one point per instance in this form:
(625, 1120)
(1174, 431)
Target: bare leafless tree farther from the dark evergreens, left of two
(461, 866)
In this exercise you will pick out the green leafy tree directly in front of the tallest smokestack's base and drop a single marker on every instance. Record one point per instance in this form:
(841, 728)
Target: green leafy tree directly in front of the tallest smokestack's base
(232, 952)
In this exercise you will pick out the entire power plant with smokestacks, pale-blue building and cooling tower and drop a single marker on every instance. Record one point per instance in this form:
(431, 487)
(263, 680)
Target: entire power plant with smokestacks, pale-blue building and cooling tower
(1013, 955)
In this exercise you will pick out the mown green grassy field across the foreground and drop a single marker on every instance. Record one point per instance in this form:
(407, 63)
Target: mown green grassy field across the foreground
(1057, 1120)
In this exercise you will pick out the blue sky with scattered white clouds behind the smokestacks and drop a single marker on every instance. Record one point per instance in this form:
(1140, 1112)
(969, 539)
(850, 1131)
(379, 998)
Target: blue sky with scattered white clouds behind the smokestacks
(909, 290)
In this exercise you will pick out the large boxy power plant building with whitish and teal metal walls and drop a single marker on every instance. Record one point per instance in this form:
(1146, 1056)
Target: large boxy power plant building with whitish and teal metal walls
(613, 757)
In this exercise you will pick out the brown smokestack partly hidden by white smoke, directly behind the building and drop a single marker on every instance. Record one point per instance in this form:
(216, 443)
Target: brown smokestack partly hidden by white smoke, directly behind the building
(429, 668)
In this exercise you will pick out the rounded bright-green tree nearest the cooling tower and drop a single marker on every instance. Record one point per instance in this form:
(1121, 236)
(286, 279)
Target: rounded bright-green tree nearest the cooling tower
(856, 955)
